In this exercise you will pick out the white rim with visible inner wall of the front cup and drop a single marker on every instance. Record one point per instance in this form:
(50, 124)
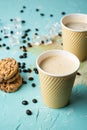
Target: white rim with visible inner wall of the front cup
(63, 52)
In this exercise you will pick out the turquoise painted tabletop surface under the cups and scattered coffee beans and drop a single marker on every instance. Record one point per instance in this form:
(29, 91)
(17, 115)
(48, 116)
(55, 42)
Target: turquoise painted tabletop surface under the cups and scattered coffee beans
(12, 112)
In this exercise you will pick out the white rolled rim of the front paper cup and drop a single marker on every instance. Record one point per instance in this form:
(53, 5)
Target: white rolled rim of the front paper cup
(60, 51)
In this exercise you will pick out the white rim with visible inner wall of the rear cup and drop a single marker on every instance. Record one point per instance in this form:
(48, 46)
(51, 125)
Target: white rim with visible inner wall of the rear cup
(76, 17)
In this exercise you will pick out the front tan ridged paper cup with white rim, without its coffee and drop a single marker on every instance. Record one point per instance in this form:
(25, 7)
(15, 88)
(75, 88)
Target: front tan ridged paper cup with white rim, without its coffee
(56, 89)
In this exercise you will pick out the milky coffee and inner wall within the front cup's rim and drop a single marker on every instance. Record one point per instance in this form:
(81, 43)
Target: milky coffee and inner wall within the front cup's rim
(58, 64)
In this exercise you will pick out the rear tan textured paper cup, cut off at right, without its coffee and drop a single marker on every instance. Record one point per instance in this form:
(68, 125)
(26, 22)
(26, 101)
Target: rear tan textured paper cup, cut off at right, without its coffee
(75, 41)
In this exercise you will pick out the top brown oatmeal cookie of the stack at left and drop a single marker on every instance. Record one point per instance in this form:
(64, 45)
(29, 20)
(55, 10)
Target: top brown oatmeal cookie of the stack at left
(8, 68)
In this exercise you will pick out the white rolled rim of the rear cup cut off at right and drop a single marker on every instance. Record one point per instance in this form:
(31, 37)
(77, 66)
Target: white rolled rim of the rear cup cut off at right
(72, 14)
